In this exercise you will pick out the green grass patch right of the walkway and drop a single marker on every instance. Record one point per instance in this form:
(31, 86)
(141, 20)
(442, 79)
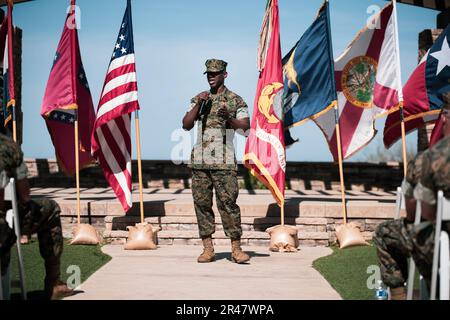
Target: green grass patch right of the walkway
(346, 271)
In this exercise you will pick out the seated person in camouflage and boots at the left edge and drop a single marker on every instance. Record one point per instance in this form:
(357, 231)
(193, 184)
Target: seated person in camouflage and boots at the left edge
(39, 216)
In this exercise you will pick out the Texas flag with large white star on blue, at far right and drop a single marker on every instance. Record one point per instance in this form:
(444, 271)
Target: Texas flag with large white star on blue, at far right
(423, 92)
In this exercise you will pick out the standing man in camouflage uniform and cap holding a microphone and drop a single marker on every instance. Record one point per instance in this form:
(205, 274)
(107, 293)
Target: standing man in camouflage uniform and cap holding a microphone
(213, 160)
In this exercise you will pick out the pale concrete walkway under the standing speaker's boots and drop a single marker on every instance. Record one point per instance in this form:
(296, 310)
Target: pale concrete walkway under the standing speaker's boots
(172, 273)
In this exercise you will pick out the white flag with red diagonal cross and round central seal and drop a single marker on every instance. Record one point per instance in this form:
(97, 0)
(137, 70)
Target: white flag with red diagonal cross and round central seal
(368, 84)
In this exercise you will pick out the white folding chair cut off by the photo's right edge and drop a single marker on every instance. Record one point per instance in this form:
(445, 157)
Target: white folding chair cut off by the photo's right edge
(441, 245)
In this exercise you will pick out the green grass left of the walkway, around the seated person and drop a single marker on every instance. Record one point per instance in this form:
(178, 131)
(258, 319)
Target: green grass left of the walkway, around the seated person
(88, 258)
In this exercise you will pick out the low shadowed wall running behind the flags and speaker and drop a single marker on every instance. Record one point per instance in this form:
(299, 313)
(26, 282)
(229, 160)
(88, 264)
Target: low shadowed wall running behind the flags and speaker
(165, 174)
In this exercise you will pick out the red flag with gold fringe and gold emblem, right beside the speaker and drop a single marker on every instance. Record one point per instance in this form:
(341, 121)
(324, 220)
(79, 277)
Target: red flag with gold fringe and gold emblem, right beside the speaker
(265, 154)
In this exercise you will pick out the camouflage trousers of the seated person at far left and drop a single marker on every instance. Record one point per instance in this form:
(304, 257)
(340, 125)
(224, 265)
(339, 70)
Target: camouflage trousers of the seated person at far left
(41, 216)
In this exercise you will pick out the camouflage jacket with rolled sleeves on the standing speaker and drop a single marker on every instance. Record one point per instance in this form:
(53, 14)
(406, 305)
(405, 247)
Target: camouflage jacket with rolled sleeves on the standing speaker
(214, 149)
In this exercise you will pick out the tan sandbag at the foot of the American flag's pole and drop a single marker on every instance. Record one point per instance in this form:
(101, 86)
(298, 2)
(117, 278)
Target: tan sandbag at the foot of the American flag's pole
(141, 237)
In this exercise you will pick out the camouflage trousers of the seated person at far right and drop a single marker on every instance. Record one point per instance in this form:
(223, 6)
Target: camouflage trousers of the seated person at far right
(396, 241)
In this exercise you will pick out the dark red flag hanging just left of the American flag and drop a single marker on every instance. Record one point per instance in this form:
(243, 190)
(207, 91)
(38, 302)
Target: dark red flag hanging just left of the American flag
(67, 96)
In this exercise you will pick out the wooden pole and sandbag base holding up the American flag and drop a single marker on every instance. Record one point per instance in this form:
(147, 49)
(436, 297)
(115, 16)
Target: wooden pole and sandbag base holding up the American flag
(143, 235)
